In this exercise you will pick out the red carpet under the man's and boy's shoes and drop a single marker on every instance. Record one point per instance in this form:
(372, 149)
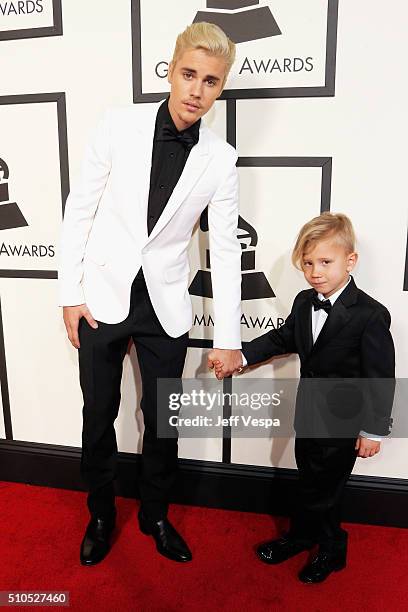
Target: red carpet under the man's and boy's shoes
(42, 529)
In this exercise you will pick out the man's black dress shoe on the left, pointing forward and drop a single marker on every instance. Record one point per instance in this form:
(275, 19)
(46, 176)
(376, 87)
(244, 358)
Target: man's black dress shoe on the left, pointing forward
(96, 543)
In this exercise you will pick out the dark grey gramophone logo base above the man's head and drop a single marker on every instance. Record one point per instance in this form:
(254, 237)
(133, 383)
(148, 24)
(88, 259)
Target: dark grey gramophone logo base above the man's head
(241, 20)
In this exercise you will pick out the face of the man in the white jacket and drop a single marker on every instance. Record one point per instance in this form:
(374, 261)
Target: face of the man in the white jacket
(196, 81)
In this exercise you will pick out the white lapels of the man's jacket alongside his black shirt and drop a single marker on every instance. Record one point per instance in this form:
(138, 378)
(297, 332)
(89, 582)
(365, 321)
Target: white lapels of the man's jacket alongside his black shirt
(196, 164)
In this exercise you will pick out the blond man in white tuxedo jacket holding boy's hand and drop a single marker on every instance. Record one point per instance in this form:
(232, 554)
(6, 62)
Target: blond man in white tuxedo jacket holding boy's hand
(148, 174)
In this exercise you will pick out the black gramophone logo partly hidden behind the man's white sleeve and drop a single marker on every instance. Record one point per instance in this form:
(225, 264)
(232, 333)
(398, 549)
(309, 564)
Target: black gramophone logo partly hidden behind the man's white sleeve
(254, 285)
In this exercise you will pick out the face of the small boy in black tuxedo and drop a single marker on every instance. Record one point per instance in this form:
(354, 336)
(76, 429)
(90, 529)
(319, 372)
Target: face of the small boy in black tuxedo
(327, 266)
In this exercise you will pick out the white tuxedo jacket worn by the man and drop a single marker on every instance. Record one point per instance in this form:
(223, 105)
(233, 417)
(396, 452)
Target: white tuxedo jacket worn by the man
(104, 237)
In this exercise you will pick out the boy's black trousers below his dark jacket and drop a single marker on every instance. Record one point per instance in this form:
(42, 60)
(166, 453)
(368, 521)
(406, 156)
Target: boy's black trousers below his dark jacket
(324, 469)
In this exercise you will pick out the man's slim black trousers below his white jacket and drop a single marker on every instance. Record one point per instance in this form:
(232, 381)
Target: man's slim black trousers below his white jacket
(101, 355)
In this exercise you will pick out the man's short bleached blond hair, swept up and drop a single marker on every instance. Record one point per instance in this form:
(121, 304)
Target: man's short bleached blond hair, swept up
(210, 38)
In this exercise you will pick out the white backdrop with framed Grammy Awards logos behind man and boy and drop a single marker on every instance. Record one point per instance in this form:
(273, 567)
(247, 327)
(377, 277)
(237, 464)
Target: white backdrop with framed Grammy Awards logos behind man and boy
(316, 104)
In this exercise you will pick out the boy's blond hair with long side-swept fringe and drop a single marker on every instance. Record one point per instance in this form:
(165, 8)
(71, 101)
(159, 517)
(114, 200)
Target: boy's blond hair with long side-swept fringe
(324, 226)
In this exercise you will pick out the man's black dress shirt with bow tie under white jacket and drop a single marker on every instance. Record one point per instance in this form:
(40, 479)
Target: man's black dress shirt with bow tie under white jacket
(169, 157)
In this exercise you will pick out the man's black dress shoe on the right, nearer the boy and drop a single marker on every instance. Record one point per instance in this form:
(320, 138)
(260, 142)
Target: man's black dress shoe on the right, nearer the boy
(168, 542)
